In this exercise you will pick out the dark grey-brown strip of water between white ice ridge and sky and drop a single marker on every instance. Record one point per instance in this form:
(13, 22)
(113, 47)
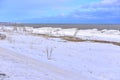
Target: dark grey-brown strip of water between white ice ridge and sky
(79, 26)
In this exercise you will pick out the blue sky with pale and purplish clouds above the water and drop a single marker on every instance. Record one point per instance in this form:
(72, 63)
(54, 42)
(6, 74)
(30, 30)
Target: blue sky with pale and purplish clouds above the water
(60, 11)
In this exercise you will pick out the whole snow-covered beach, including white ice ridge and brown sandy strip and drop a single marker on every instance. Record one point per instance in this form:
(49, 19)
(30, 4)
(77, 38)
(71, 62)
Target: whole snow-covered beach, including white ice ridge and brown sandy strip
(59, 54)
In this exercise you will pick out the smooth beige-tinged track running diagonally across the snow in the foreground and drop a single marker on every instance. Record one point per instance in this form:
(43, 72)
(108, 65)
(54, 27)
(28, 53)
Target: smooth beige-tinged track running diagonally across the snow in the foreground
(53, 71)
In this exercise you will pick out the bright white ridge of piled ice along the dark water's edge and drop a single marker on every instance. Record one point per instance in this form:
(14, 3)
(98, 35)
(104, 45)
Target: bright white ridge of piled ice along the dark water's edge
(89, 34)
